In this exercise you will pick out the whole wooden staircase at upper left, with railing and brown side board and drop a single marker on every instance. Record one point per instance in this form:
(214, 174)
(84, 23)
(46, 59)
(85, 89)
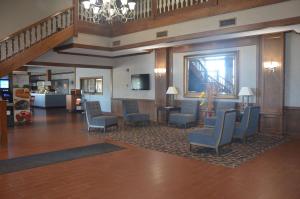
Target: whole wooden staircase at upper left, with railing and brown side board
(33, 41)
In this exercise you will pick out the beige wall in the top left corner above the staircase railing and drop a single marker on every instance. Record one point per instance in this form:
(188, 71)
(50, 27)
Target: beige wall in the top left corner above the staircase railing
(18, 14)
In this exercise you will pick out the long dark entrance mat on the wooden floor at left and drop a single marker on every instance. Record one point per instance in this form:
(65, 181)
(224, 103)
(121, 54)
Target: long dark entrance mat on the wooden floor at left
(43, 159)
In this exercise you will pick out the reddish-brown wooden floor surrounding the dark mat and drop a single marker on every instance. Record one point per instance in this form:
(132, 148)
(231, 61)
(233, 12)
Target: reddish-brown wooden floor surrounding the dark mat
(136, 173)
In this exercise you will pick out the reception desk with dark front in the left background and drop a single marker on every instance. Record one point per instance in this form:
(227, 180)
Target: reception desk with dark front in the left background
(49, 100)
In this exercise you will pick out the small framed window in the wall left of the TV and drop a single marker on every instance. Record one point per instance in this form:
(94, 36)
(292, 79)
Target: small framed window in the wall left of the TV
(92, 85)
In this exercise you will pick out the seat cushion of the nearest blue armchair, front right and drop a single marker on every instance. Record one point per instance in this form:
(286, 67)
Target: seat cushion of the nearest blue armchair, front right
(202, 136)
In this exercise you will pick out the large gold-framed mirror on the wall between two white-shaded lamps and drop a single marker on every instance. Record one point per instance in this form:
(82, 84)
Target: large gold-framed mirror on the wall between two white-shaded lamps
(205, 71)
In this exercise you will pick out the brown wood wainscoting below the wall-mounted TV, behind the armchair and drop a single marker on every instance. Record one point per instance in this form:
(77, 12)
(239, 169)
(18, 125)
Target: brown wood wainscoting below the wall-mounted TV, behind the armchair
(145, 106)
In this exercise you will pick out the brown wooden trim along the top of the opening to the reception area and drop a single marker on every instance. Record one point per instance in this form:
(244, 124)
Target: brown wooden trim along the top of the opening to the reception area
(37, 63)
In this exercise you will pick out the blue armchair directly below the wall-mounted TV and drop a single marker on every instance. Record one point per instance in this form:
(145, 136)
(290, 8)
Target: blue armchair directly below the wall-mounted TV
(131, 113)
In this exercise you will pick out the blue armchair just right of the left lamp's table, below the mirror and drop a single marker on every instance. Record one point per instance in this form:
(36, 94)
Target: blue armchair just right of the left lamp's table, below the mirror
(188, 114)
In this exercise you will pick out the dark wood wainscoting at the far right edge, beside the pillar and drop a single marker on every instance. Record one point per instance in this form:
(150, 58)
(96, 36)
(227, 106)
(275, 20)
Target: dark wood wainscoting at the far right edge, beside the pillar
(291, 120)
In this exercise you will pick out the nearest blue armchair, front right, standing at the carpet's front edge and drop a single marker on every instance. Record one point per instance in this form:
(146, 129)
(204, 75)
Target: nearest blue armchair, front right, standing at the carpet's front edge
(218, 136)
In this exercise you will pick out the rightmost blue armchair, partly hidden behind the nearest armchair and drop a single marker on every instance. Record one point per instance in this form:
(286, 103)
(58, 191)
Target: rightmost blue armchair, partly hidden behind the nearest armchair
(249, 123)
